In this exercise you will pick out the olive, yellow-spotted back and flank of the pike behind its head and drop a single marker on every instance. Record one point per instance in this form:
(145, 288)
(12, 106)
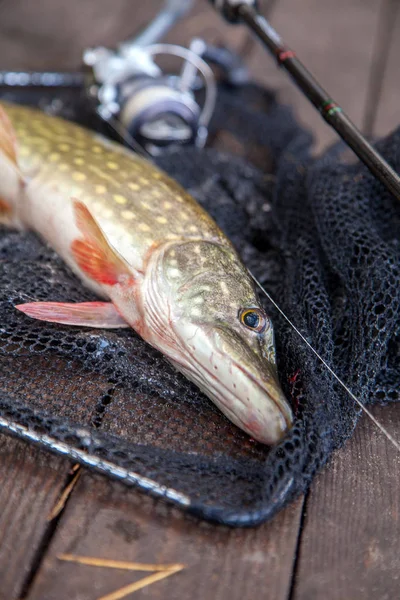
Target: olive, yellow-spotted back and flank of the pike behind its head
(116, 186)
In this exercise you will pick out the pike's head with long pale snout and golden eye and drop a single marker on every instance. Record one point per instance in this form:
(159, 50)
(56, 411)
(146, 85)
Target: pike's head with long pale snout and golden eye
(222, 339)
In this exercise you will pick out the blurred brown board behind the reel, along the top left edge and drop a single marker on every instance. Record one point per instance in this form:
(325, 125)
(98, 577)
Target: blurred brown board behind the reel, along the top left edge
(52, 34)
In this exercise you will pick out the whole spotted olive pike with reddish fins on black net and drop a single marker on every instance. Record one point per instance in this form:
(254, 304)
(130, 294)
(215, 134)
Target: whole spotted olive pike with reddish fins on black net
(159, 262)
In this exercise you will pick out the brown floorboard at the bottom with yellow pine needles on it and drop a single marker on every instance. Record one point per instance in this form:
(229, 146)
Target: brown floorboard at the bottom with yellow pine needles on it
(102, 520)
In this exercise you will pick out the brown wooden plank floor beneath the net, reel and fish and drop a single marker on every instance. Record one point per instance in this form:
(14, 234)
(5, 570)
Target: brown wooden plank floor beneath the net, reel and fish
(340, 543)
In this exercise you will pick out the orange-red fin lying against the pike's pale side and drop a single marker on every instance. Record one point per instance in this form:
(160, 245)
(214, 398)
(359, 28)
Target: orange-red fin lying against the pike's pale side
(93, 253)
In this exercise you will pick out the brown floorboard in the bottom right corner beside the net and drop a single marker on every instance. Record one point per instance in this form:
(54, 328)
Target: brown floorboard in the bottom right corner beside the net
(350, 537)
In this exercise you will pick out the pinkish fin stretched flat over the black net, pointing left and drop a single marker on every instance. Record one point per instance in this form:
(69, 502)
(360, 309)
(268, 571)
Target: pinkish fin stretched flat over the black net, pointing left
(103, 315)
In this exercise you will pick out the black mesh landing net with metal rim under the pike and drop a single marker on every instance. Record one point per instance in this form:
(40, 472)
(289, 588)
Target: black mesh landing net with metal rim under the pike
(323, 237)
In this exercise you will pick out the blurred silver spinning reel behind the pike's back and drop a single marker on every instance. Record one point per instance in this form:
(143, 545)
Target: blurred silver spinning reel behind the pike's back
(147, 106)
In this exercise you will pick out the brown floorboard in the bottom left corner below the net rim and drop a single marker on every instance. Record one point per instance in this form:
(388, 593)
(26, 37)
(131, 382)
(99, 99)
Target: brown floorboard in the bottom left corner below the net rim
(31, 481)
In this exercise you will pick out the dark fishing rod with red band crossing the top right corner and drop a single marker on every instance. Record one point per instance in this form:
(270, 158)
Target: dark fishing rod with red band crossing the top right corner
(246, 11)
